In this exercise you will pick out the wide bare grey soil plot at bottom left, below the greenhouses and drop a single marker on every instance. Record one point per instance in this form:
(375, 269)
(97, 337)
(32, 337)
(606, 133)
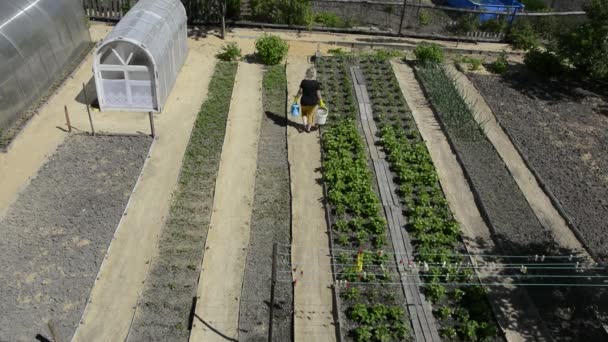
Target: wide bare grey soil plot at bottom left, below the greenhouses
(54, 237)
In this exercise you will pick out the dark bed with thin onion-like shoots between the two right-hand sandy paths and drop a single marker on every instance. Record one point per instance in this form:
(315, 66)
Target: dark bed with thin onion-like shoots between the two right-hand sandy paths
(570, 313)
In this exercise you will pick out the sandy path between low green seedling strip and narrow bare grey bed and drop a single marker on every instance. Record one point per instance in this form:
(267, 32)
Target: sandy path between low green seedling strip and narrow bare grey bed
(221, 279)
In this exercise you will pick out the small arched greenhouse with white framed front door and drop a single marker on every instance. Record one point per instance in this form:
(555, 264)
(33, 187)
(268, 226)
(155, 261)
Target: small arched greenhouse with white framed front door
(137, 64)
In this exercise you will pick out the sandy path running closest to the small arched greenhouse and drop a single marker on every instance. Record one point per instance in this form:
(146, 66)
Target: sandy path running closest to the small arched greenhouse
(114, 297)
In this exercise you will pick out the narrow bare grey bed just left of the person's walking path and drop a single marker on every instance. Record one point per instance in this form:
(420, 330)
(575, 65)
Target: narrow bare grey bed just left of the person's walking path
(270, 221)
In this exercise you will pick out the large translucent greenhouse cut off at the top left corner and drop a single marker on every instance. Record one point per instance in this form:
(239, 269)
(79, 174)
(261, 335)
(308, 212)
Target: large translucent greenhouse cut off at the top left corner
(39, 39)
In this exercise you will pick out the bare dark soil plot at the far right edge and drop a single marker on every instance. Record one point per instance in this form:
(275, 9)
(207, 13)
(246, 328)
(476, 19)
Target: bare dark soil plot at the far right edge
(562, 133)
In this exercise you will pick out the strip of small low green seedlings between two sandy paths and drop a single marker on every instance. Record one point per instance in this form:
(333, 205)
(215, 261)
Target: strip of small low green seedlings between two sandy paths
(164, 306)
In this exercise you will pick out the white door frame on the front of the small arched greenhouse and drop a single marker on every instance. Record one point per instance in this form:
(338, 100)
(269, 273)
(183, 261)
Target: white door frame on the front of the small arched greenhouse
(126, 70)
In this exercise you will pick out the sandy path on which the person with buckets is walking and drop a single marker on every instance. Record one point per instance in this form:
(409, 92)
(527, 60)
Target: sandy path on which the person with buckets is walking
(313, 309)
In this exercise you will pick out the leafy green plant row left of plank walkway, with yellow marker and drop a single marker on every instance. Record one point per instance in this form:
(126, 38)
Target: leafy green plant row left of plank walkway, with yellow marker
(373, 310)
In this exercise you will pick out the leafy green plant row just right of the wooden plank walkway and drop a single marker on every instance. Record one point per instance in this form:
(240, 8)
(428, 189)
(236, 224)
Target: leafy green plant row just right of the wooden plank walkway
(463, 312)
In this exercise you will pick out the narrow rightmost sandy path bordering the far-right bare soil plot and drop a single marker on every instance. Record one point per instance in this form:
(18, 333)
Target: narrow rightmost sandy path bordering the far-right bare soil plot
(540, 203)
